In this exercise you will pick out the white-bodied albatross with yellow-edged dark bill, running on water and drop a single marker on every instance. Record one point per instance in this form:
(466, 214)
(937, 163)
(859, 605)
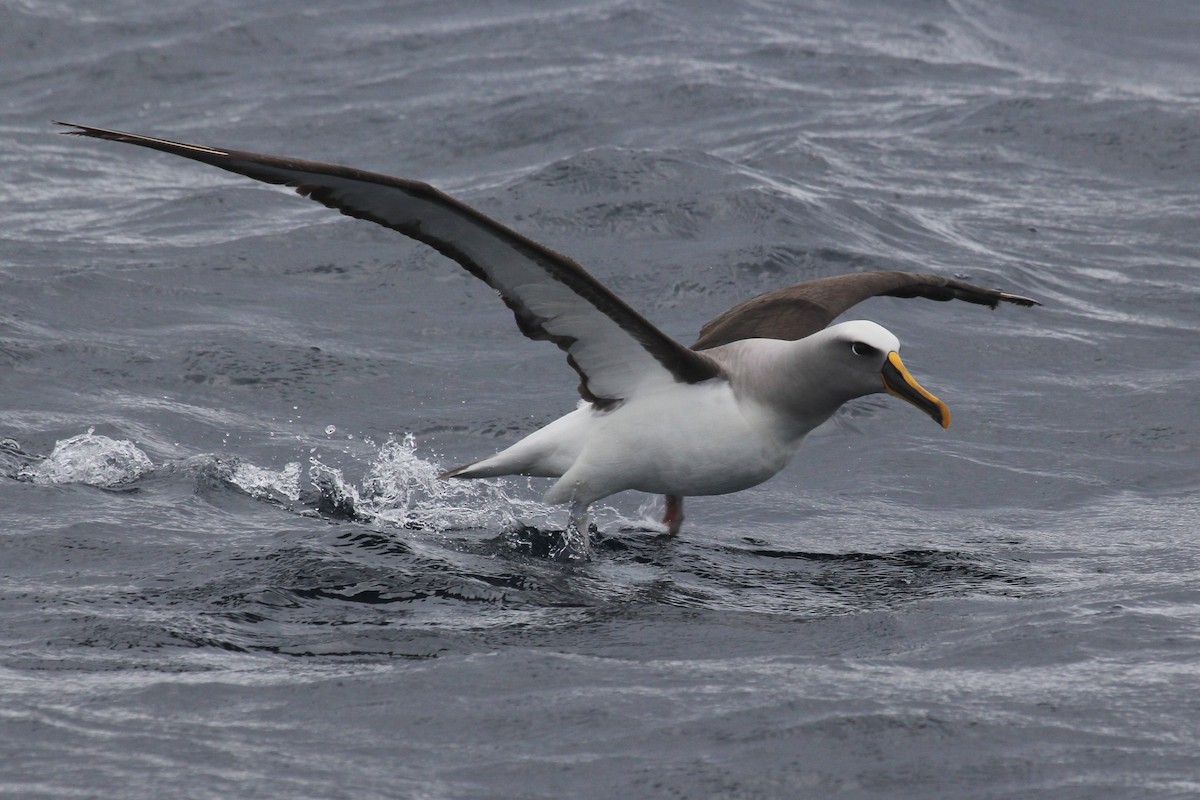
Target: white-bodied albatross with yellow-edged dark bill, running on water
(658, 417)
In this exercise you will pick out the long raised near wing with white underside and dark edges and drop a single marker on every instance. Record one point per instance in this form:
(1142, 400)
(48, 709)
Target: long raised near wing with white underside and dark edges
(613, 347)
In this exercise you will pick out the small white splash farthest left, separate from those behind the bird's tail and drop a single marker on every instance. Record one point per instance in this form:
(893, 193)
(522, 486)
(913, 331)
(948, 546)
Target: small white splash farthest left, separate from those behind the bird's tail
(93, 460)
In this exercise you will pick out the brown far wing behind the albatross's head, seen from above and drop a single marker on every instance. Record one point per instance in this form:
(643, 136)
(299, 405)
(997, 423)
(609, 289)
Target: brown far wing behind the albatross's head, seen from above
(797, 311)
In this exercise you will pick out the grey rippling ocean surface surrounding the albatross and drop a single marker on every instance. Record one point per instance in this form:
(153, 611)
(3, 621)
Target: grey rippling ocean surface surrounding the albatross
(226, 569)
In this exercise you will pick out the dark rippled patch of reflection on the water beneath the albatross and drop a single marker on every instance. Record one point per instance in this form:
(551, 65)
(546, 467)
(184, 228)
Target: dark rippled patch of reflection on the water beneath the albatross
(379, 594)
